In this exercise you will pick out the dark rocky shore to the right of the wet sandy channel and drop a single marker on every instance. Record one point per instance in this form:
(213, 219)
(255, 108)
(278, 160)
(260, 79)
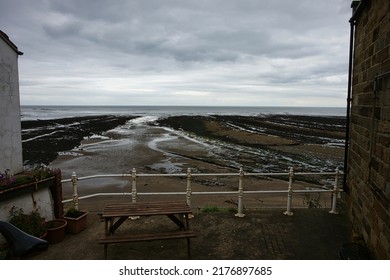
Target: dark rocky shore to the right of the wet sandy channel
(269, 143)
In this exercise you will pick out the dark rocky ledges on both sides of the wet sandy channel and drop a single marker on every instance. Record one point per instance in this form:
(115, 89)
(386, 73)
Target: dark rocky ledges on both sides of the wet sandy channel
(260, 143)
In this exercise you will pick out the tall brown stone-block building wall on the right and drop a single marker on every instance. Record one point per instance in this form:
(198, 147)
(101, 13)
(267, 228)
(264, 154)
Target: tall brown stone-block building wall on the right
(369, 147)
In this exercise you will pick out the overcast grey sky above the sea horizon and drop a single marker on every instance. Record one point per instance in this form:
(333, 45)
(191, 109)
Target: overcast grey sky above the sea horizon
(180, 52)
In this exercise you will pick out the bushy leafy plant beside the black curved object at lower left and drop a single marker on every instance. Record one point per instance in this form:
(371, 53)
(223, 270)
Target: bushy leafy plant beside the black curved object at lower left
(32, 223)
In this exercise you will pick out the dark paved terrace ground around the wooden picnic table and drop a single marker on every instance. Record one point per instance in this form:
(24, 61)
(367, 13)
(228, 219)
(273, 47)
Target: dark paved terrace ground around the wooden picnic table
(309, 234)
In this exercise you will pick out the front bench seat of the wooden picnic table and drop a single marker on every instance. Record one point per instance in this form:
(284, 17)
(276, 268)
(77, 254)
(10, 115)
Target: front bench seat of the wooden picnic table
(112, 239)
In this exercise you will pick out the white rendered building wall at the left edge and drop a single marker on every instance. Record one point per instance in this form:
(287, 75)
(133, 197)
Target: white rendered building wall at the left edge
(10, 125)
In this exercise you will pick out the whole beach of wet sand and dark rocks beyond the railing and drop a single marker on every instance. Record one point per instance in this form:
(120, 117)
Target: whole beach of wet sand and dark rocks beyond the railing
(205, 144)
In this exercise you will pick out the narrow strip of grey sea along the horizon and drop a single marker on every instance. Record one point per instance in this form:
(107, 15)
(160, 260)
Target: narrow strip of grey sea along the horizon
(34, 112)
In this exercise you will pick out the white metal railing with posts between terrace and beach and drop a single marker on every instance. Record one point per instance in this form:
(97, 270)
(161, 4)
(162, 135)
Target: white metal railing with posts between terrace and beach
(335, 191)
